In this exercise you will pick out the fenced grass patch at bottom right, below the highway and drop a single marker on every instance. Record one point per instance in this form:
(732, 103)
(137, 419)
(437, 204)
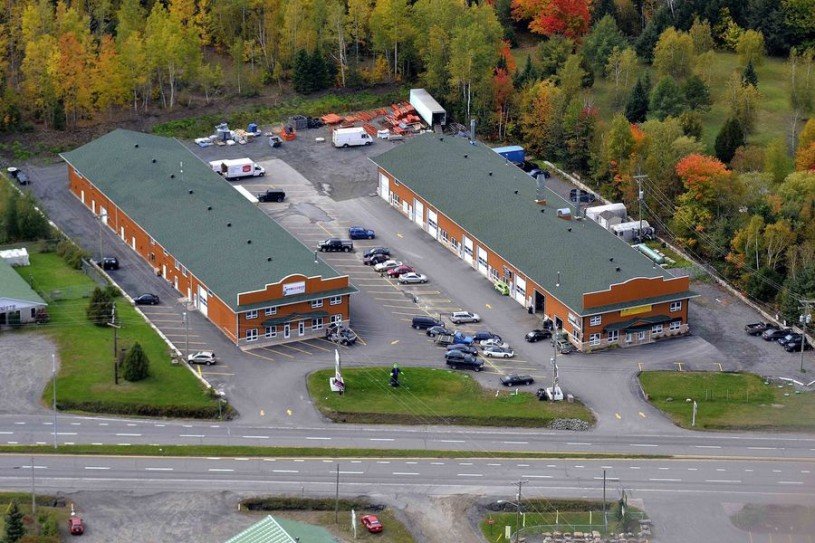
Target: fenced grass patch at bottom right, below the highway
(557, 515)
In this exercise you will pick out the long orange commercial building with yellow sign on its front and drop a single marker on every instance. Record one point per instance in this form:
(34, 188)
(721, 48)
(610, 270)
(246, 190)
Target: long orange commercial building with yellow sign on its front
(594, 286)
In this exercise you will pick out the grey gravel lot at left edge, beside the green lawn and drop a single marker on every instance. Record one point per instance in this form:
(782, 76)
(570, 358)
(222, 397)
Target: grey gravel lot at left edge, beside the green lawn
(25, 367)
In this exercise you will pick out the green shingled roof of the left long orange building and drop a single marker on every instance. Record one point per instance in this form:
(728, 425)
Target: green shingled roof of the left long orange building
(134, 170)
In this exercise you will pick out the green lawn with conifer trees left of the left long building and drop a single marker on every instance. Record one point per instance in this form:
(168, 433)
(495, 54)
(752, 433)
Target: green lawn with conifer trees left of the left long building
(85, 379)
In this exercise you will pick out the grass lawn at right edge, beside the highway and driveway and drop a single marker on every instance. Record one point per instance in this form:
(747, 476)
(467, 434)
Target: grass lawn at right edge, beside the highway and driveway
(733, 401)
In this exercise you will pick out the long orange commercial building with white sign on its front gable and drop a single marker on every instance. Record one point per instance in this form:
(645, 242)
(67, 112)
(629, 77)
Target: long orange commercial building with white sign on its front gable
(226, 258)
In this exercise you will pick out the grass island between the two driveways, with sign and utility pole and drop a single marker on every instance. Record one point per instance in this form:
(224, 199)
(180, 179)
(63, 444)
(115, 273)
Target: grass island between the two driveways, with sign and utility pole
(432, 396)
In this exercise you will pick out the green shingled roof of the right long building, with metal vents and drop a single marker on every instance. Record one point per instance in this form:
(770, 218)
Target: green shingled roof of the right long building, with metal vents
(453, 175)
